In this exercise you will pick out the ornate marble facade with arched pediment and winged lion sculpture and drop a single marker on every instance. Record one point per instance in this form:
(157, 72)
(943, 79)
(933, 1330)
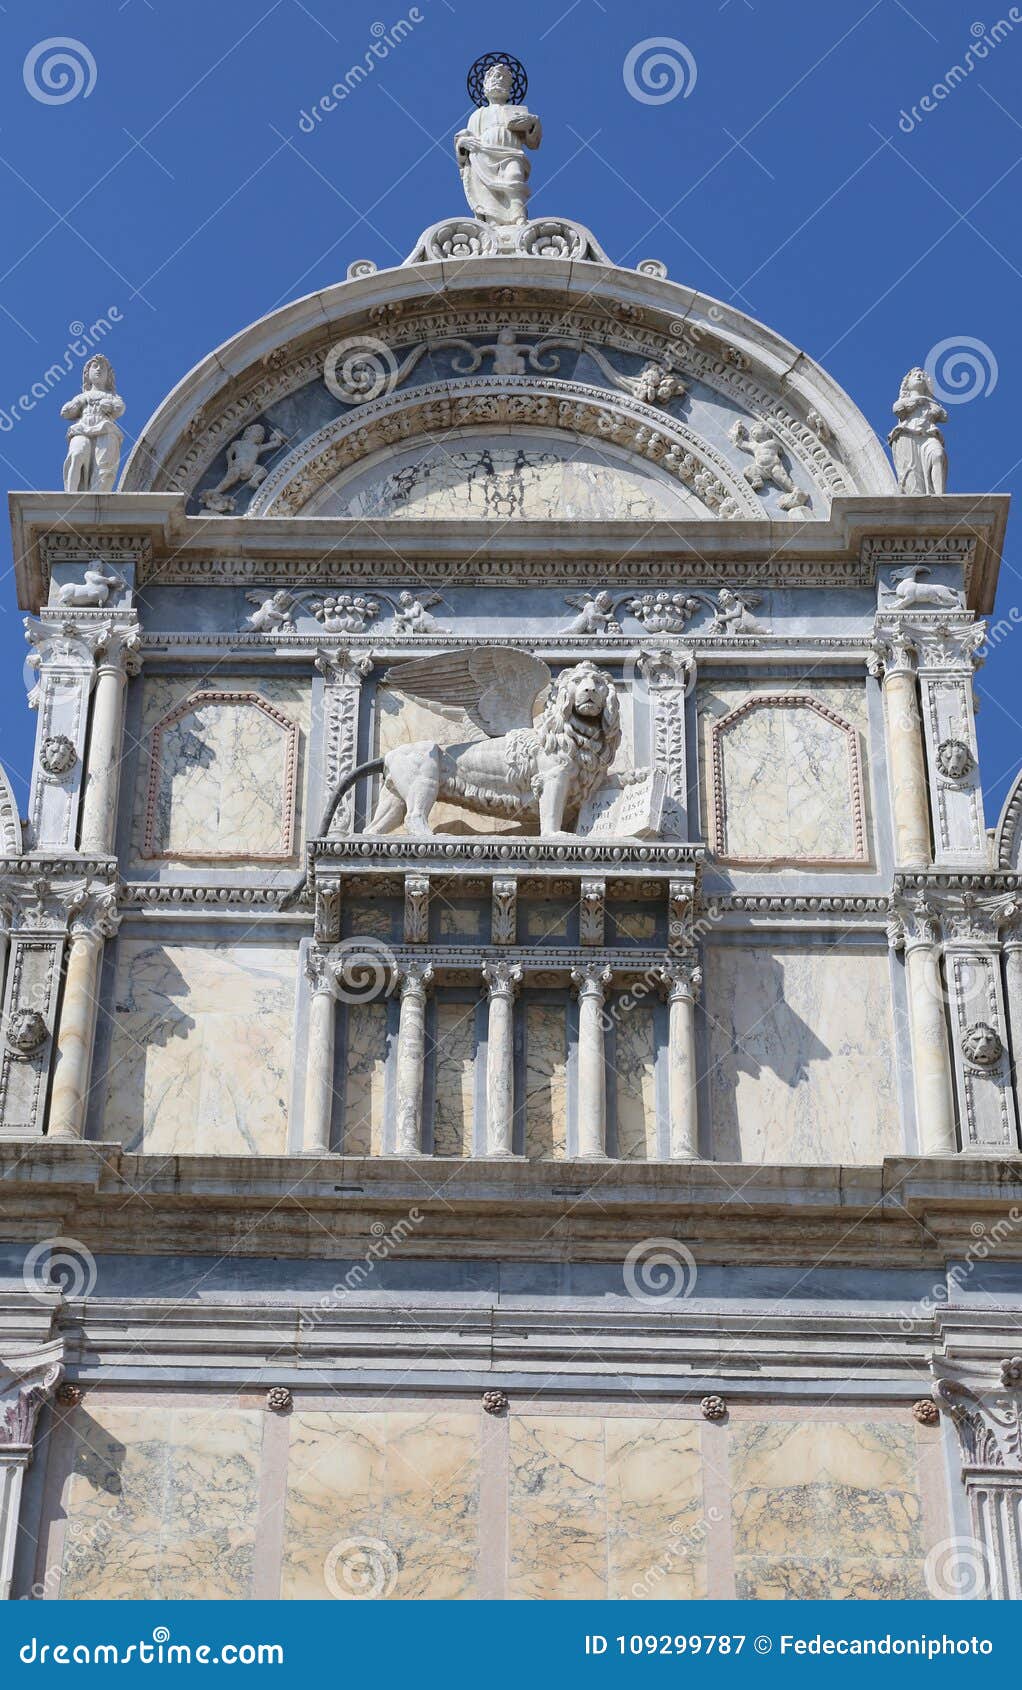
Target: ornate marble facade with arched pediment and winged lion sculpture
(611, 1189)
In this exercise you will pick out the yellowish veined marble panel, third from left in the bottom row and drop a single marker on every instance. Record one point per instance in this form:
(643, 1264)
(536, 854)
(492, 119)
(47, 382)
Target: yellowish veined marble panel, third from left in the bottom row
(599, 1508)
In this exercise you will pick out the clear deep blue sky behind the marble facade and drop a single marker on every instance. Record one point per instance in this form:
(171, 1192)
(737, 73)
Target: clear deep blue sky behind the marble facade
(788, 180)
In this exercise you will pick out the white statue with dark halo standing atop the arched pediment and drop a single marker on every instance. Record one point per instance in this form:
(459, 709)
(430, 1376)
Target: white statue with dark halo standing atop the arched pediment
(492, 151)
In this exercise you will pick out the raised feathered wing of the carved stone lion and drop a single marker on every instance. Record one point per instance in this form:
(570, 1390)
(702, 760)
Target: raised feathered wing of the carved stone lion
(497, 689)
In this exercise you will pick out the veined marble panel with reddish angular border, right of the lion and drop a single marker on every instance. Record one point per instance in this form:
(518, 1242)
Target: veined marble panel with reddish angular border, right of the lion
(783, 771)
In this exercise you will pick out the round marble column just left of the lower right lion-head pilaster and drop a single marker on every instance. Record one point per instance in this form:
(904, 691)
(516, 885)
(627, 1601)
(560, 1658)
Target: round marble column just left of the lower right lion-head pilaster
(916, 932)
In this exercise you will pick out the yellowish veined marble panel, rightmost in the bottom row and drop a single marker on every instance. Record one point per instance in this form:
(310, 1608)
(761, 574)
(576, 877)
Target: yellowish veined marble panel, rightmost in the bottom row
(827, 1510)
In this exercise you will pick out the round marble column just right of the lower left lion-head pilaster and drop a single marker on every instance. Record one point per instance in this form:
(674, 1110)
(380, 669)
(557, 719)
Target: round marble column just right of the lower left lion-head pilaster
(95, 919)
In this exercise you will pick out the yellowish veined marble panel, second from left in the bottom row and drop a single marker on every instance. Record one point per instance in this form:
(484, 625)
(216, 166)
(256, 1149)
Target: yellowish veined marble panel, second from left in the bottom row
(406, 1483)
